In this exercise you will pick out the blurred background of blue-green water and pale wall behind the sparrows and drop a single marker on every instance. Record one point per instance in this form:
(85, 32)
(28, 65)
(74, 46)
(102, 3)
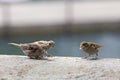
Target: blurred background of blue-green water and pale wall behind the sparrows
(67, 22)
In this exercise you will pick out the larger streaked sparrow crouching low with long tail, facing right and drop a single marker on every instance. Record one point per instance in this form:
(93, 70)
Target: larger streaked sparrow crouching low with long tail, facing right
(35, 50)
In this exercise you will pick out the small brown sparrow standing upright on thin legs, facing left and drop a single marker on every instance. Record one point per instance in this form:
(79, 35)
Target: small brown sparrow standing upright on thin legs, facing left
(90, 48)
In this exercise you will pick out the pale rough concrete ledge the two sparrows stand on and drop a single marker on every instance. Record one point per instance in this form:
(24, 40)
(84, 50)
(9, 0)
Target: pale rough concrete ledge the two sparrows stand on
(13, 67)
